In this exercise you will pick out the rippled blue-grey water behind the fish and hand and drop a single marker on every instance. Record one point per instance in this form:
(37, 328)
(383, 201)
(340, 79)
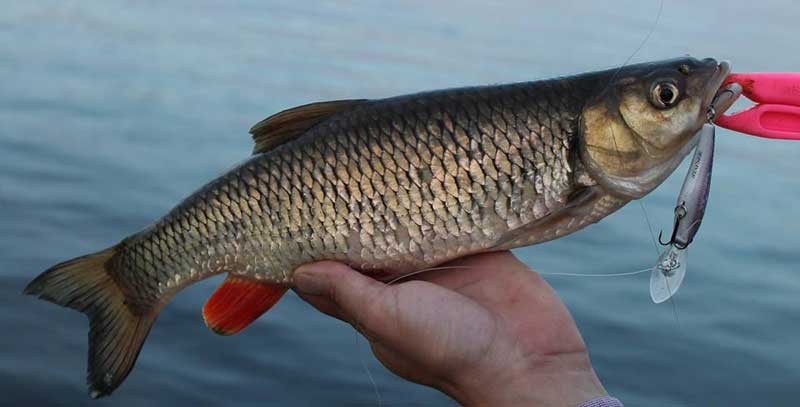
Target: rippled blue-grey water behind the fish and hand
(111, 113)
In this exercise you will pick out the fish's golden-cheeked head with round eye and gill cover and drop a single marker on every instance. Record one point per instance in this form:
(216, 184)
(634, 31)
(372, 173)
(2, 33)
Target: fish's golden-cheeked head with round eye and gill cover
(636, 130)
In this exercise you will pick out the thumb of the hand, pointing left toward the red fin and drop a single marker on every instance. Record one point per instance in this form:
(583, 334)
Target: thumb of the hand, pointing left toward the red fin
(358, 299)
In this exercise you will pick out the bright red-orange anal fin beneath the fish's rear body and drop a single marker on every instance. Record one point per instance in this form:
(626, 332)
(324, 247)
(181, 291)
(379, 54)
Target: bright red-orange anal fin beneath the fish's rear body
(238, 302)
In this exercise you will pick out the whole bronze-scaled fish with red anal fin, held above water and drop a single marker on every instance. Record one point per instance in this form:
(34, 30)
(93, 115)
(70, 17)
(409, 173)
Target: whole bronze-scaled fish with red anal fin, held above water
(390, 186)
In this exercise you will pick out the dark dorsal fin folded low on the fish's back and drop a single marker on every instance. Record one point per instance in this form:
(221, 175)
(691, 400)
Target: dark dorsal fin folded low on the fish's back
(290, 123)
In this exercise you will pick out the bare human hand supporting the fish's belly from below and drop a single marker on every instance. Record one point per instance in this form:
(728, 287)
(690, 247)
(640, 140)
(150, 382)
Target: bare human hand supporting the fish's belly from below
(490, 333)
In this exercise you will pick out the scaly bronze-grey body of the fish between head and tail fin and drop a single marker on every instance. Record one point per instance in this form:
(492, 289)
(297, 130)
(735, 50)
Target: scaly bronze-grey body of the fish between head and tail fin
(355, 188)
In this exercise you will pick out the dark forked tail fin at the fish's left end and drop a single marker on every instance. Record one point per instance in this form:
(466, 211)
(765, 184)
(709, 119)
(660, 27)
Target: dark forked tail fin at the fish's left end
(116, 332)
